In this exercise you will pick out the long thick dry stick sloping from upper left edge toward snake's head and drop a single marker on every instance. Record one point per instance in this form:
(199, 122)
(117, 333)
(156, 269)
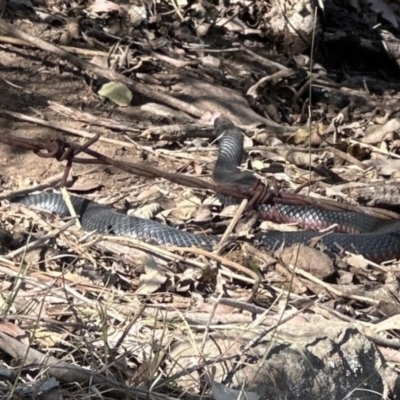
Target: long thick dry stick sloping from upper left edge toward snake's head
(84, 65)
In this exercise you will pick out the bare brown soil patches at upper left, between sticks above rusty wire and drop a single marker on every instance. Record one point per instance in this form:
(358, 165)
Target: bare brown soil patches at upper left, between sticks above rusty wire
(27, 85)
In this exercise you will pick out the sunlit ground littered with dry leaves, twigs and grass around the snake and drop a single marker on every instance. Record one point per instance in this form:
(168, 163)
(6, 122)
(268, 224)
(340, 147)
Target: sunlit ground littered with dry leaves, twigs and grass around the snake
(128, 320)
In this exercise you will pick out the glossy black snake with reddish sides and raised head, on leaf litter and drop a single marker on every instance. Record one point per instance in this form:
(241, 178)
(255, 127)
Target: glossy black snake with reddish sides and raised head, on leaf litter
(376, 239)
